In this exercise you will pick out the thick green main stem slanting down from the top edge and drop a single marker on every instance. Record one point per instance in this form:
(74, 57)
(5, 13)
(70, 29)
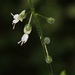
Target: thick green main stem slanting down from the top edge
(39, 30)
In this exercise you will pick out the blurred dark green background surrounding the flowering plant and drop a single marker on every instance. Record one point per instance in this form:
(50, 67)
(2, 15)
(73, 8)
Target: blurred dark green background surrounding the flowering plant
(29, 58)
